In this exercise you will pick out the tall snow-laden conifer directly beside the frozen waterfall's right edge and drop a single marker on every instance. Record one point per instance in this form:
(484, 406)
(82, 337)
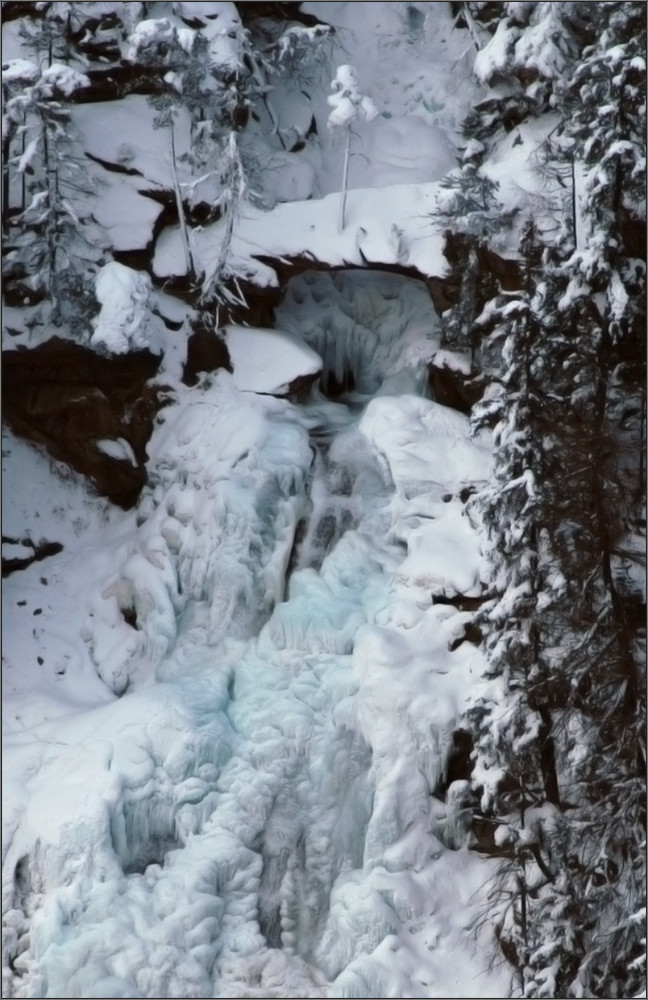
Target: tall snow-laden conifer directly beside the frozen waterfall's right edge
(560, 677)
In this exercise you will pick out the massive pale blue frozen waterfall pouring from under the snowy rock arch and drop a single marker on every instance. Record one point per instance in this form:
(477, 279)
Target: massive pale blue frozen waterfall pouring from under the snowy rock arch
(259, 816)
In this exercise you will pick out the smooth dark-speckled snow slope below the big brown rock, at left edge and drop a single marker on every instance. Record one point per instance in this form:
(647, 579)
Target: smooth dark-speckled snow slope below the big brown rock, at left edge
(47, 669)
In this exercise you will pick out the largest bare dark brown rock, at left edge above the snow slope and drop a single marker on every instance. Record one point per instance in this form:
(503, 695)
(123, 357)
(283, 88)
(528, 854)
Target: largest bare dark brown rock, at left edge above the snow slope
(64, 397)
